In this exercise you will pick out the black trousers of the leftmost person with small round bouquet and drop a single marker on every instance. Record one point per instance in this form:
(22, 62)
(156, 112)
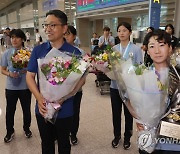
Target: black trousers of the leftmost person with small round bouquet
(12, 97)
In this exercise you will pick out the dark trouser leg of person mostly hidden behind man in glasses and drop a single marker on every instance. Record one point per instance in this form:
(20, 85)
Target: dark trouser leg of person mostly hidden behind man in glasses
(76, 104)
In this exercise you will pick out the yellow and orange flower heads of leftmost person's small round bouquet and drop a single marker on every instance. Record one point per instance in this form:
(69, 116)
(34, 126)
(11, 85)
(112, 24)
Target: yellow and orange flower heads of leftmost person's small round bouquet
(20, 58)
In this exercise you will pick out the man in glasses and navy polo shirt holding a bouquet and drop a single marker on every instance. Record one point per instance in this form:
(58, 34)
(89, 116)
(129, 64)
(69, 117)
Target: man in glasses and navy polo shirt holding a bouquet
(55, 27)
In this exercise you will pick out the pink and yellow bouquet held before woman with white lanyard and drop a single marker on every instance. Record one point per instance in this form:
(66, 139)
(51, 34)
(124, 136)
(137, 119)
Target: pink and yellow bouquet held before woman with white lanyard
(102, 63)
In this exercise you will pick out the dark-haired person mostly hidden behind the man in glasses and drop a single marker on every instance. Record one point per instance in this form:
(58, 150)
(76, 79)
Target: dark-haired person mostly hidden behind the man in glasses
(70, 36)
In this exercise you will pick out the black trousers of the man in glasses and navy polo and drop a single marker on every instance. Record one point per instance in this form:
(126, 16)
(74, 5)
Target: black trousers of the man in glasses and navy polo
(48, 132)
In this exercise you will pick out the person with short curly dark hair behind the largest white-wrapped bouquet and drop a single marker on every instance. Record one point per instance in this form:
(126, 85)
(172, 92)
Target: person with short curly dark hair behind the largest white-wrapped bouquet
(159, 48)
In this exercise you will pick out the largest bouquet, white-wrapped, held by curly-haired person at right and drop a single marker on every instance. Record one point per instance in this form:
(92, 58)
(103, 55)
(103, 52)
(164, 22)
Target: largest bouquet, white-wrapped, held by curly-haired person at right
(147, 91)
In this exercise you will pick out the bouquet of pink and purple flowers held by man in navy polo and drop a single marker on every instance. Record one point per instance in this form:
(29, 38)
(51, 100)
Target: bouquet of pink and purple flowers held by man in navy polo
(59, 73)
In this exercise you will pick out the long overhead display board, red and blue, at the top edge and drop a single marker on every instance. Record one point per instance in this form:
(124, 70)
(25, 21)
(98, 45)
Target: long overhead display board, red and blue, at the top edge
(88, 5)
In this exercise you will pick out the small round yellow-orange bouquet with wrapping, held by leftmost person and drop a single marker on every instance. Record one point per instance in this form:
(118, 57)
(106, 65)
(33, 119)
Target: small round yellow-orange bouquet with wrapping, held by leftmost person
(19, 60)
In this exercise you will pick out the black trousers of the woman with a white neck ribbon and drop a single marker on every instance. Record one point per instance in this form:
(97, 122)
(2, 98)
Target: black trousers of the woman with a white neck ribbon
(116, 103)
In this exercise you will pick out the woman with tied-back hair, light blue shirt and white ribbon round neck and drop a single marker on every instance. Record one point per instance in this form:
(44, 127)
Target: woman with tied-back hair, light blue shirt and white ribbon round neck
(127, 50)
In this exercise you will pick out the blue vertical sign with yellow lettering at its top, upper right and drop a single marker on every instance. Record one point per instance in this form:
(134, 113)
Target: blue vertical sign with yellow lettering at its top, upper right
(154, 13)
